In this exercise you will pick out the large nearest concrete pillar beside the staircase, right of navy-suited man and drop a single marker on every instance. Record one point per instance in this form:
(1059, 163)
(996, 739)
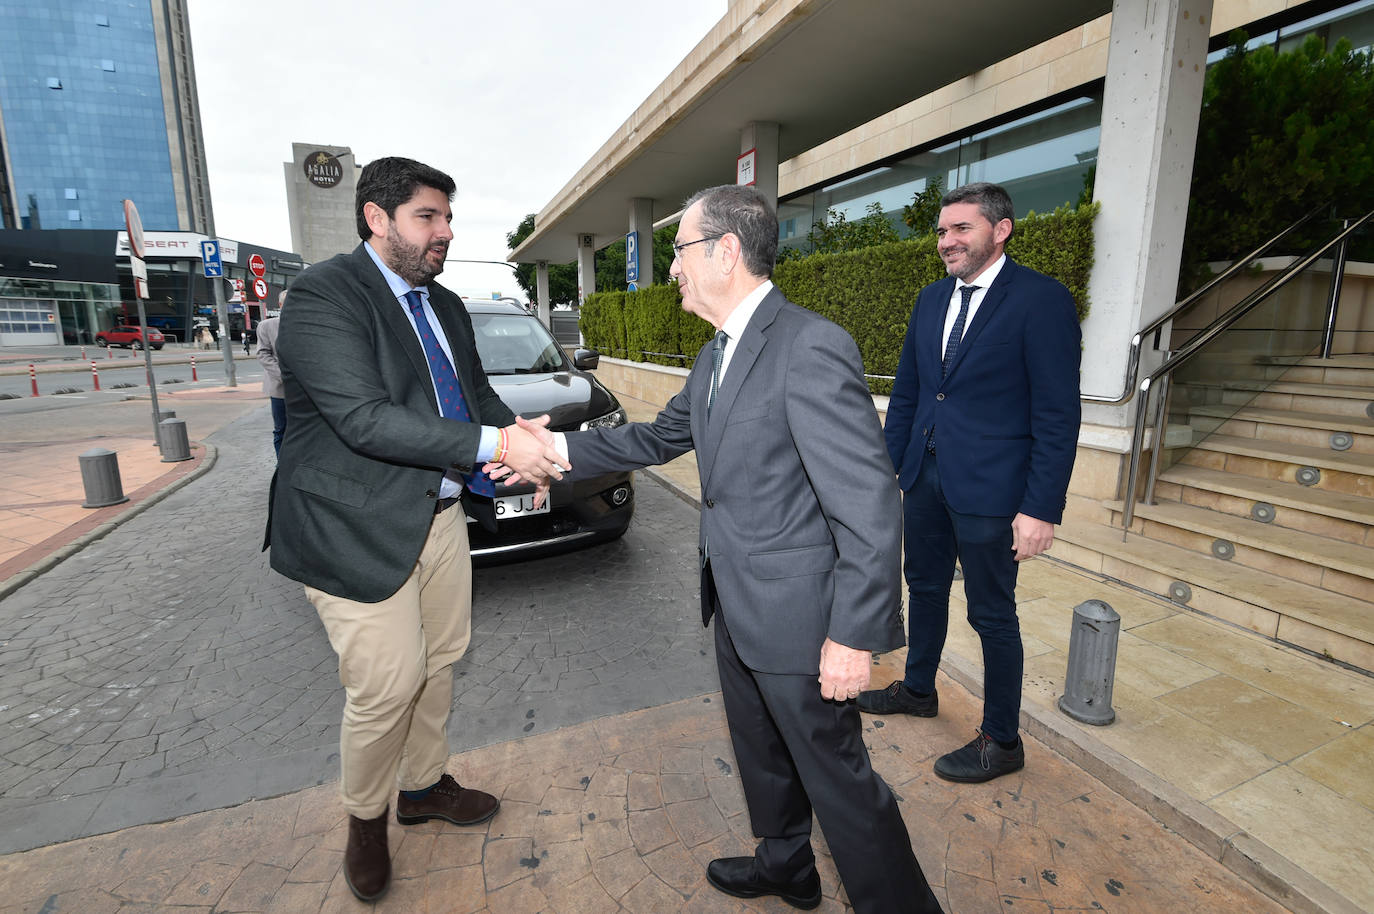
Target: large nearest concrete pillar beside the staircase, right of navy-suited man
(1156, 65)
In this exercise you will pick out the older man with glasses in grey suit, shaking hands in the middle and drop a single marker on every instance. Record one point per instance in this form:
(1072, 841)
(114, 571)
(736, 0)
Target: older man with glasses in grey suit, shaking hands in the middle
(800, 559)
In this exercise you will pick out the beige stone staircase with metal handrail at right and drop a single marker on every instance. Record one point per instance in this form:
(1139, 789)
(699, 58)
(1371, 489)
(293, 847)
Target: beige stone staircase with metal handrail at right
(1269, 520)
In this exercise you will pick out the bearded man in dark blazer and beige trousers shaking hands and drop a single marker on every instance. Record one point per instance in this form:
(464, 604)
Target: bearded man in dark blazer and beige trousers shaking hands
(388, 416)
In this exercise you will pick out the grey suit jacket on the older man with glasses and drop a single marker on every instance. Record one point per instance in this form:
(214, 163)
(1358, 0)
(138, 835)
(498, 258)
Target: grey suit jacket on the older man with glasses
(800, 511)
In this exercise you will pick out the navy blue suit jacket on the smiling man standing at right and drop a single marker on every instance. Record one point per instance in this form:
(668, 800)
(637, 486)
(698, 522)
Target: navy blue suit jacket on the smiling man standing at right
(1006, 417)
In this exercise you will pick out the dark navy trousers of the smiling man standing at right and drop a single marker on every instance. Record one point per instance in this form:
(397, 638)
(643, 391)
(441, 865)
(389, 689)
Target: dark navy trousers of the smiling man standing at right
(936, 535)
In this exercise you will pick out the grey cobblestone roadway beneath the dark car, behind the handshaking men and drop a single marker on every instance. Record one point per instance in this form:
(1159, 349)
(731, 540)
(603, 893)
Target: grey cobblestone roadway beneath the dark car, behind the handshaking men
(166, 670)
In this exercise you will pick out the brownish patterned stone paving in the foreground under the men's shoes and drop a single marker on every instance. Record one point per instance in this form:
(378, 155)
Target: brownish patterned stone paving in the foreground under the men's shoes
(623, 814)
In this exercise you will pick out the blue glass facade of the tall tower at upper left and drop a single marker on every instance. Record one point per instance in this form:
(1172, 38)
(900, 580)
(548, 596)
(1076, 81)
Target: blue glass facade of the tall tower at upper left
(86, 118)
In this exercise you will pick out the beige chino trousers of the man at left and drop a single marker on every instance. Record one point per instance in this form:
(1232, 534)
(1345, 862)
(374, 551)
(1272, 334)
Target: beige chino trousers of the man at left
(396, 666)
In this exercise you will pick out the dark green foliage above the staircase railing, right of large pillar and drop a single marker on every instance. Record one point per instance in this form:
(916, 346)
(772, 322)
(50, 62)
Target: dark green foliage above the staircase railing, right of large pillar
(1279, 135)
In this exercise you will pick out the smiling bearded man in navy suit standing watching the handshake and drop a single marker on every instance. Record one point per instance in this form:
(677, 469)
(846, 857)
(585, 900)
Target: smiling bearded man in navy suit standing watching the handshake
(982, 430)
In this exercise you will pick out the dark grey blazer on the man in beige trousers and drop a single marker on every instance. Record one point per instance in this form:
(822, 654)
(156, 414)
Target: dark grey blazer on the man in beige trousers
(366, 447)
